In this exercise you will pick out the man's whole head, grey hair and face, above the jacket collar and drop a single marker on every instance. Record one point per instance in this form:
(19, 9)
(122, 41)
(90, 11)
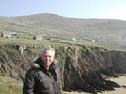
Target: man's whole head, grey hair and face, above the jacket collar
(47, 56)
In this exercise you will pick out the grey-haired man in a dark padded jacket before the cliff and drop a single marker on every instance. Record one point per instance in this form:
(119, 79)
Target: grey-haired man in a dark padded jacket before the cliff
(44, 76)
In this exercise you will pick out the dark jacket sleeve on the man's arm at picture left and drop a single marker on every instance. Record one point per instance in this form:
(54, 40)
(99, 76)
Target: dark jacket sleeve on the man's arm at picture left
(29, 82)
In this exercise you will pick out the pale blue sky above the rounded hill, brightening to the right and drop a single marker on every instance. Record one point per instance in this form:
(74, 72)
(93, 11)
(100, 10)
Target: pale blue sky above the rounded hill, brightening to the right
(108, 9)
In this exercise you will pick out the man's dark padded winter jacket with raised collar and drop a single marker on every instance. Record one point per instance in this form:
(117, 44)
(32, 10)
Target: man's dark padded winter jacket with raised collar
(38, 80)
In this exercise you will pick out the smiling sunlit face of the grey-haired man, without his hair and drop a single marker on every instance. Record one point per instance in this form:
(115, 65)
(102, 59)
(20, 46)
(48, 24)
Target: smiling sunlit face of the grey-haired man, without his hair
(48, 58)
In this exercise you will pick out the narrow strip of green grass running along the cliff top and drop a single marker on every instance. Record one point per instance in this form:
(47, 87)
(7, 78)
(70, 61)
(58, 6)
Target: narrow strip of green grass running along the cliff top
(58, 42)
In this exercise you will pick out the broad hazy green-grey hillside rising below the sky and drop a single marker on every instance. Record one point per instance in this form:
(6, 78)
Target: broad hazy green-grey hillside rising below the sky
(108, 32)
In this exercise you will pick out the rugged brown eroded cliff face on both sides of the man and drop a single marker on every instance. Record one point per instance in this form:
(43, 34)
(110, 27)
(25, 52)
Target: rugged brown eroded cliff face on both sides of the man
(83, 68)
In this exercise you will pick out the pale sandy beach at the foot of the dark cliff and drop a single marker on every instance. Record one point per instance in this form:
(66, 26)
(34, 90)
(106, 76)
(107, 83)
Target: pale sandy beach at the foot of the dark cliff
(121, 80)
